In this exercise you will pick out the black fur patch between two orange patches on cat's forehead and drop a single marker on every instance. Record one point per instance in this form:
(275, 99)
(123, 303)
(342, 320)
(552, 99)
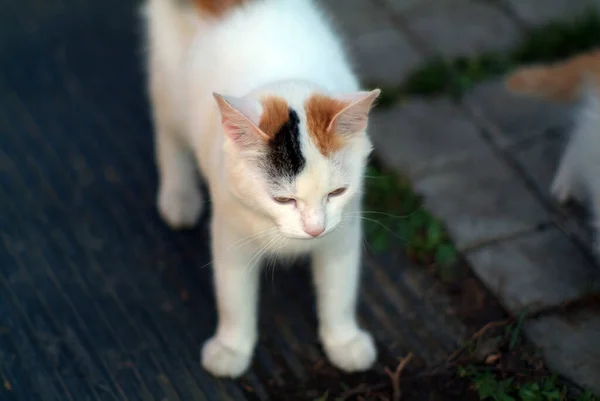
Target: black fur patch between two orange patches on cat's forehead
(284, 157)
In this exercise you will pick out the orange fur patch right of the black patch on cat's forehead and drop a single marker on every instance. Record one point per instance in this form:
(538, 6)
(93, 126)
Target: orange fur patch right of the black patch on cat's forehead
(320, 111)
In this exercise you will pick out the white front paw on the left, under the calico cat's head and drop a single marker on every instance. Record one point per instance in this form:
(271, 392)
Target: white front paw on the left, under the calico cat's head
(223, 361)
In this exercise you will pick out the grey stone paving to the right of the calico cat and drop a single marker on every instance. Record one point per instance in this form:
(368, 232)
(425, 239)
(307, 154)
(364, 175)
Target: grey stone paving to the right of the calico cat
(484, 164)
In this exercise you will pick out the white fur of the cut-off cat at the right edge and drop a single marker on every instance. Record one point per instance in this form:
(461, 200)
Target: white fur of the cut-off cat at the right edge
(578, 174)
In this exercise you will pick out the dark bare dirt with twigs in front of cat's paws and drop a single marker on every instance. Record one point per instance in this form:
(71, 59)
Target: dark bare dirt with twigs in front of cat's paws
(489, 349)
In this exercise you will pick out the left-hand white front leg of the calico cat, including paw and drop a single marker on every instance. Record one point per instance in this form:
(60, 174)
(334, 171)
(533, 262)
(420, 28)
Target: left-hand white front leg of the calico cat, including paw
(236, 278)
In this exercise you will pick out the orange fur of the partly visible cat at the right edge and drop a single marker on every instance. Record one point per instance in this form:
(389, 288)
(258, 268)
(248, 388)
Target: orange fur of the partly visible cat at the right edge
(558, 81)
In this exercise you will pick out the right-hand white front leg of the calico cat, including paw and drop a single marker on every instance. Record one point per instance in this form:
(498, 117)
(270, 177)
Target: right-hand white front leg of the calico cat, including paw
(336, 270)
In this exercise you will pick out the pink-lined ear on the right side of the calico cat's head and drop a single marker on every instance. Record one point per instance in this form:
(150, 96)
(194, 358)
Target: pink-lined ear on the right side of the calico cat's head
(353, 118)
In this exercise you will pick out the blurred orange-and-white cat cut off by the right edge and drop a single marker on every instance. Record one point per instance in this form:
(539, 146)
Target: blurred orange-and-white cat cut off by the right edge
(574, 79)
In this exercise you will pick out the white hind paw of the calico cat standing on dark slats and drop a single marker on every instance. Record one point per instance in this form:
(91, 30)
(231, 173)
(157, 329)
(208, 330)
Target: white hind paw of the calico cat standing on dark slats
(180, 208)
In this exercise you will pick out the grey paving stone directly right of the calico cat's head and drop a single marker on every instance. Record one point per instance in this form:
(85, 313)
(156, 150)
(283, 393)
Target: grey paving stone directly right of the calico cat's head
(414, 135)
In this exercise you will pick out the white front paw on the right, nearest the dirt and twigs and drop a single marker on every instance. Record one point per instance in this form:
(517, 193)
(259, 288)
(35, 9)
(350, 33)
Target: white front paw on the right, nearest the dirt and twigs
(356, 355)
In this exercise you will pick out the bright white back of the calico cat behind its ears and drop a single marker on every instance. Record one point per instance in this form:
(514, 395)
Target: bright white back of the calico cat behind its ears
(262, 41)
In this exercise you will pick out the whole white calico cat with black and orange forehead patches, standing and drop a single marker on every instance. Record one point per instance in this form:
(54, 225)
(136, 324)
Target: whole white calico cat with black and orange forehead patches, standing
(261, 96)
